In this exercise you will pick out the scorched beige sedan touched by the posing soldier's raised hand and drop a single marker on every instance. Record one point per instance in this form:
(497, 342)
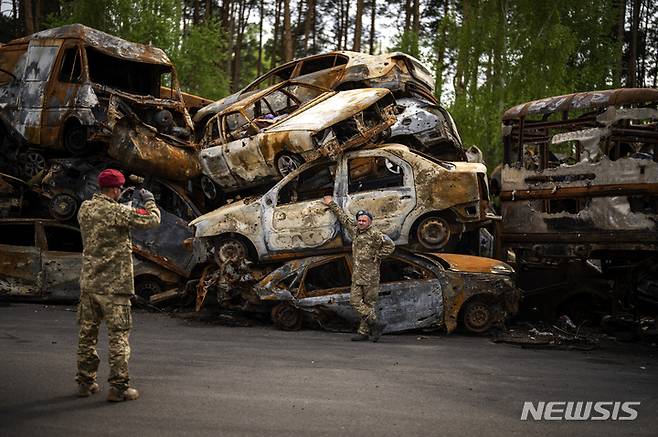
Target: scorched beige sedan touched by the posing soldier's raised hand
(415, 199)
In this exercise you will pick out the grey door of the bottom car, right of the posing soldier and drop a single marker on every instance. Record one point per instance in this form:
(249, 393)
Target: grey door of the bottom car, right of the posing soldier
(410, 296)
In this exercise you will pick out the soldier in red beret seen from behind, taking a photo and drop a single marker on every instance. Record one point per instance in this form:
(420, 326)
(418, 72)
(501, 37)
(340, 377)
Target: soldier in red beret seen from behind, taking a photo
(106, 281)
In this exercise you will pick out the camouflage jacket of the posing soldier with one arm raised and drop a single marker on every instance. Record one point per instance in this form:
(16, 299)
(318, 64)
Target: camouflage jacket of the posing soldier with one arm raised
(368, 248)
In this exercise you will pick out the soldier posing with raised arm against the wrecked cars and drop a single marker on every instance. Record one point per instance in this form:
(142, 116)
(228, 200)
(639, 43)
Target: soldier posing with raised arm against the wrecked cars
(369, 246)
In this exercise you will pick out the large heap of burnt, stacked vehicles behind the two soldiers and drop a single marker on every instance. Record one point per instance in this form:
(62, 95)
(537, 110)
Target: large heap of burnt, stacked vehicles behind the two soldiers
(240, 181)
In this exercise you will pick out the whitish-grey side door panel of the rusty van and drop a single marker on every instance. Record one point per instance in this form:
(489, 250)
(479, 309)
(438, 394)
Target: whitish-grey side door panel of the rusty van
(41, 56)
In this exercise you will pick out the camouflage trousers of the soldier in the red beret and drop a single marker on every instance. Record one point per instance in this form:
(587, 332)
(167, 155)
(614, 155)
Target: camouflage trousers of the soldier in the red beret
(115, 310)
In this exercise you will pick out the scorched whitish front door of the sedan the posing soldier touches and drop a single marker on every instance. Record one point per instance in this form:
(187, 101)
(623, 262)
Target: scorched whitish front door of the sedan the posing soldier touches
(294, 217)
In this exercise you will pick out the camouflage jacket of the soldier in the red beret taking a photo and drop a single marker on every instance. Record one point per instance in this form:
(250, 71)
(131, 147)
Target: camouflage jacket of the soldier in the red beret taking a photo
(107, 265)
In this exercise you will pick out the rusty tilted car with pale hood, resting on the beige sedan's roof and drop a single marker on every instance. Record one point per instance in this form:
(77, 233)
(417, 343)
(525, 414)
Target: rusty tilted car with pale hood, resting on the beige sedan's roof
(267, 135)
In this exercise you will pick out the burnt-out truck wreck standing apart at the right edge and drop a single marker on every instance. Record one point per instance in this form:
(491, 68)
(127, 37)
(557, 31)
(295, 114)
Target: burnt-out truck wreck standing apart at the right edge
(579, 200)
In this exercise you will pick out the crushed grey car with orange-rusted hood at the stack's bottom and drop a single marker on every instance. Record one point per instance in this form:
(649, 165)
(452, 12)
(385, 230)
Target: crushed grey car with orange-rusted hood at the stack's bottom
(418, 291)
